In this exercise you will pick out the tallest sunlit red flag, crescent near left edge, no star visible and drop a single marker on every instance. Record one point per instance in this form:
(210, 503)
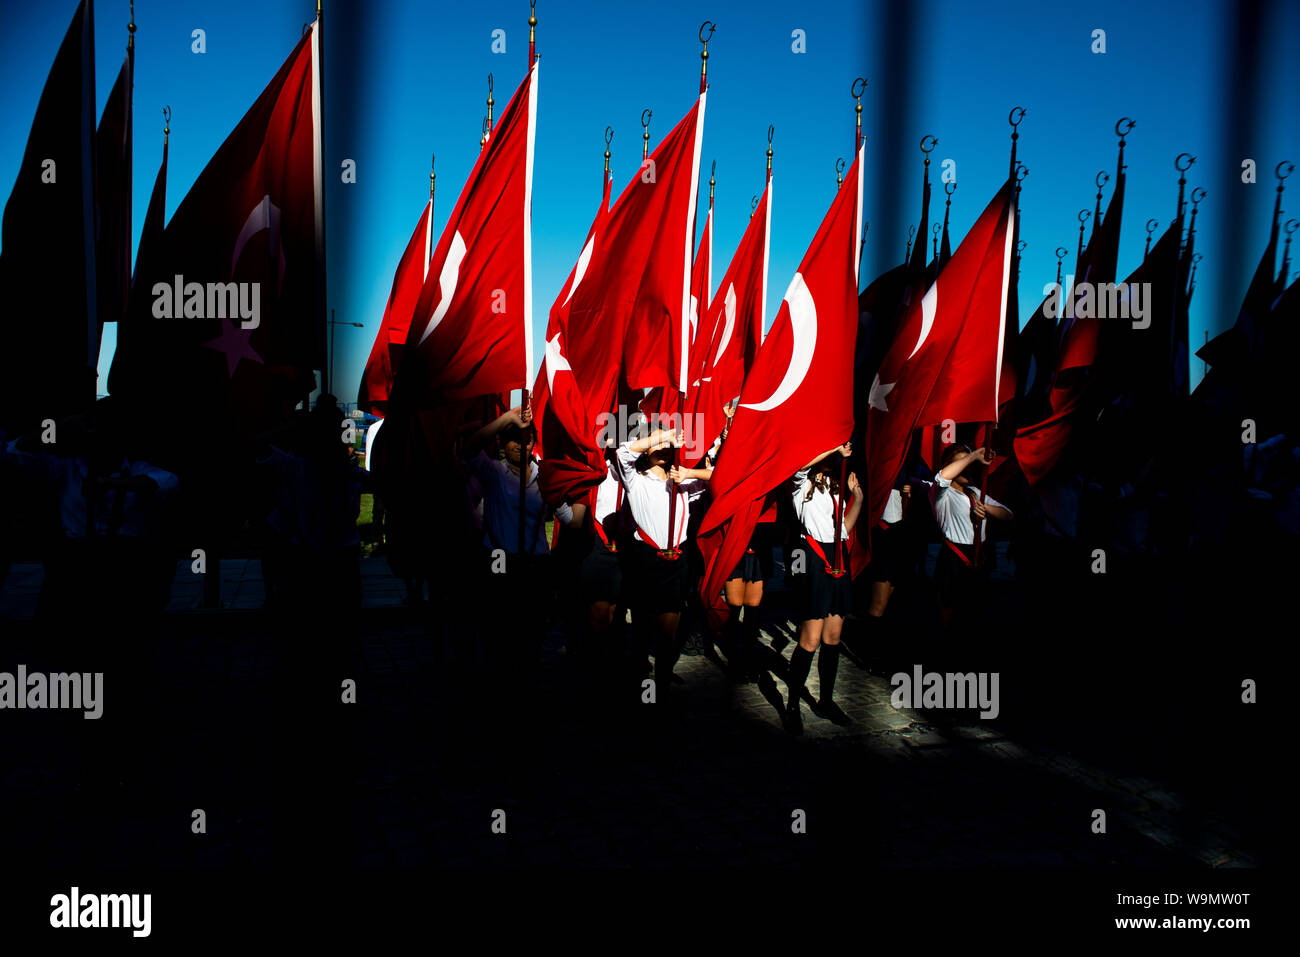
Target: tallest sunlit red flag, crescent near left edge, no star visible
(471, 332)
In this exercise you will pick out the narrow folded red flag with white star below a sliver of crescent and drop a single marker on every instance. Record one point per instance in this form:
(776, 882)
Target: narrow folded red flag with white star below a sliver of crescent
(573, 460)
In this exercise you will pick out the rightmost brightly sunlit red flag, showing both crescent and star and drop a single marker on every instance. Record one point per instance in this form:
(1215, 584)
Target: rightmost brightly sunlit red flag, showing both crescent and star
(947, 358)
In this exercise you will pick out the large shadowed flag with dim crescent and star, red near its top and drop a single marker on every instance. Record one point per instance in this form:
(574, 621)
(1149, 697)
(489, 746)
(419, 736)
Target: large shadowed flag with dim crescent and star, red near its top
(252, 219)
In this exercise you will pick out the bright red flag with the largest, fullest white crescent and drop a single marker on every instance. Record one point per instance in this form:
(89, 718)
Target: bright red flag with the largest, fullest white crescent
(798, 401)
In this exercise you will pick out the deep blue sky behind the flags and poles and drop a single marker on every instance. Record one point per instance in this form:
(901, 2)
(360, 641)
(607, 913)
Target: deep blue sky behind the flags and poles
(406, 79)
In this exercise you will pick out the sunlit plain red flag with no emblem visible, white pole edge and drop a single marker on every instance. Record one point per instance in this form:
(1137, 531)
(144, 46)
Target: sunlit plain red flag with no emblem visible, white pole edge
(657, 345)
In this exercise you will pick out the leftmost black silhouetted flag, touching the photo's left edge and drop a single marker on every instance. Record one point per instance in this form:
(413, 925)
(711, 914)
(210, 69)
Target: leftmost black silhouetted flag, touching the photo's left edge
(47, 263)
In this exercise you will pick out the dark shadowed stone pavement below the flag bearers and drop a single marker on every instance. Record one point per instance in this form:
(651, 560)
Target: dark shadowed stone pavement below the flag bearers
(586, 776)
